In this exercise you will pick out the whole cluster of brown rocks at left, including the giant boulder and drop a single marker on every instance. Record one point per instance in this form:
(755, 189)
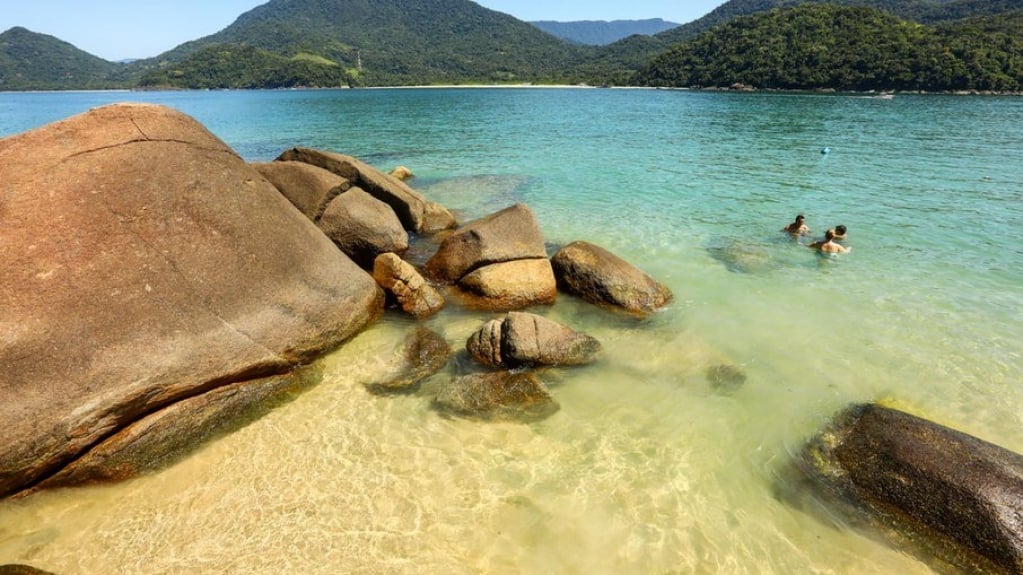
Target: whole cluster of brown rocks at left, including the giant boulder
(160, 290)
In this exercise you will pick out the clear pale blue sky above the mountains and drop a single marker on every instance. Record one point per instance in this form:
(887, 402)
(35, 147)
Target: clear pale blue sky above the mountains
(138, 29)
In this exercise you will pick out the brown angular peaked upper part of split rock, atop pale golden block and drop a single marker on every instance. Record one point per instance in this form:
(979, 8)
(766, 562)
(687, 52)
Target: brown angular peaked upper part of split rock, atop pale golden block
(510, 235)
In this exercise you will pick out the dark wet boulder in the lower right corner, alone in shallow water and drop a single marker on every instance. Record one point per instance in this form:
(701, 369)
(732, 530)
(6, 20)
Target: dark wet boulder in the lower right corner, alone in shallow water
(951, 497)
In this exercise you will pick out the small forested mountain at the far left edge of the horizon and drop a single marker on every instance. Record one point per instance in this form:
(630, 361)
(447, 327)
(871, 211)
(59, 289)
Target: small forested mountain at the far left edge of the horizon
(37, 62)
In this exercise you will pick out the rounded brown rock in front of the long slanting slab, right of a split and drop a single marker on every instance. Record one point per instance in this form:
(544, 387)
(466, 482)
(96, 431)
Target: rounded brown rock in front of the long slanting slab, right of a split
(364, 228)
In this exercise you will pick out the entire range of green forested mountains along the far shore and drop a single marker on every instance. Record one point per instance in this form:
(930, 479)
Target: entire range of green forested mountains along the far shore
(952, 45)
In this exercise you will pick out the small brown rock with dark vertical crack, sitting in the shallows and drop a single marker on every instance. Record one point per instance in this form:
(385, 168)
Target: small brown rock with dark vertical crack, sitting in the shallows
(528, 340)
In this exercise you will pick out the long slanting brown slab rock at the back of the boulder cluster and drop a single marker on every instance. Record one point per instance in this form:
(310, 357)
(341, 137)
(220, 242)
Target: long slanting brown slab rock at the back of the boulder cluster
(407, 203)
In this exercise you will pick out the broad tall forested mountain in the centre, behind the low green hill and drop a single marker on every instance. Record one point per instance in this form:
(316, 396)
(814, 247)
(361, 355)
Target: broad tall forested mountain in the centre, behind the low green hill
(386, 42)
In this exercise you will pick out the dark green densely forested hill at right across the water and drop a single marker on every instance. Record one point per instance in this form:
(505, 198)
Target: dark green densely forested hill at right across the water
(848, 49)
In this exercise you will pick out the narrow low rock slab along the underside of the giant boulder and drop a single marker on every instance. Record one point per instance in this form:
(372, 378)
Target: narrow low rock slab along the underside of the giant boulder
(163, 438)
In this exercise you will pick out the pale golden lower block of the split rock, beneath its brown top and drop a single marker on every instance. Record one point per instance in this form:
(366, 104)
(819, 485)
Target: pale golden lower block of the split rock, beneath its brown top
(511, 286)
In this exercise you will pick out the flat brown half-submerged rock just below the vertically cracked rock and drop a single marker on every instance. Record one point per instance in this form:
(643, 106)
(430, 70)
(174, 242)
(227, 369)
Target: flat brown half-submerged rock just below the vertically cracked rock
(498, 396)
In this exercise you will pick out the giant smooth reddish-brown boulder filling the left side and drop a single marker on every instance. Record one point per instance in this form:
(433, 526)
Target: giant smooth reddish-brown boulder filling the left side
(147, 263)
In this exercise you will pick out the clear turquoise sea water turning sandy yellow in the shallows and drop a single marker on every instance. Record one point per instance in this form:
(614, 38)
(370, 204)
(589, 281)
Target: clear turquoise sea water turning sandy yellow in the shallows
(648, 468)
